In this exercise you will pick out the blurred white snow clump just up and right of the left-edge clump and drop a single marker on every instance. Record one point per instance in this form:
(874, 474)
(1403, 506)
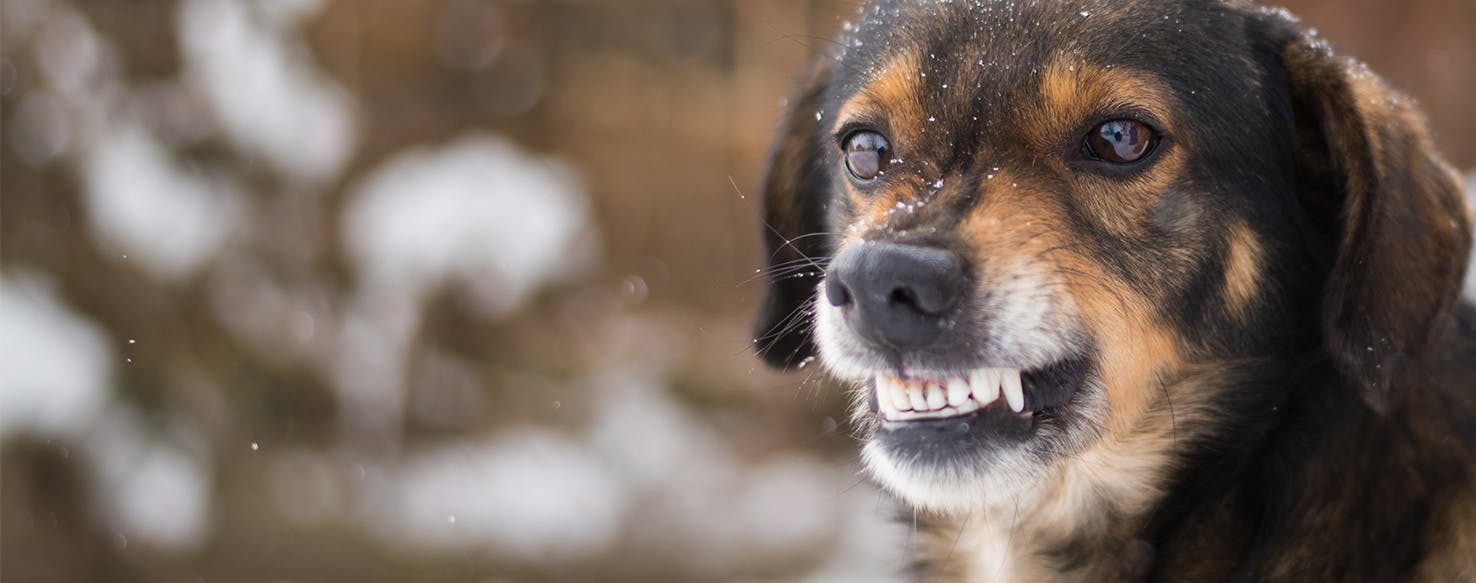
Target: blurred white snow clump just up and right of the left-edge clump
(170, 218)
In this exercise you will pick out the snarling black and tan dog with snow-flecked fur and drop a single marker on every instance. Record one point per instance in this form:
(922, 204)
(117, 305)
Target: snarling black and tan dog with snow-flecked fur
(1142, 290)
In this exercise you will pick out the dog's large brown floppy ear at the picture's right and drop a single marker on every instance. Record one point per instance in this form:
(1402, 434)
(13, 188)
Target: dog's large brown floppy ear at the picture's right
(1403, 232)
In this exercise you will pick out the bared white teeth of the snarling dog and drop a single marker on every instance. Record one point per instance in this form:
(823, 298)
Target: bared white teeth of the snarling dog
(911, 399)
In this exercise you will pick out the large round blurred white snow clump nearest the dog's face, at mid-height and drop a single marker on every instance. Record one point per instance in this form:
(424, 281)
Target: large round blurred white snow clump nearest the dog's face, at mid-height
(479, 212)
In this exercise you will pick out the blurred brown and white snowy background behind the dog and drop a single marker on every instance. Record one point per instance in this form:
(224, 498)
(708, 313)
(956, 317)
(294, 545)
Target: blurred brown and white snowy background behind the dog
(438, 290)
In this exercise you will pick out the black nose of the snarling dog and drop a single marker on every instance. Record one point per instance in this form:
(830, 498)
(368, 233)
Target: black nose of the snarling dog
(897, 296)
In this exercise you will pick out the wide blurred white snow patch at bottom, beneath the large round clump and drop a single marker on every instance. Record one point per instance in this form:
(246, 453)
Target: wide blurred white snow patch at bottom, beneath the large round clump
(531, 495)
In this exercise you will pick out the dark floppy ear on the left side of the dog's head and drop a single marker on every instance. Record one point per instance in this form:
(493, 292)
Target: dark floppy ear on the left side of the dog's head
(796, 194)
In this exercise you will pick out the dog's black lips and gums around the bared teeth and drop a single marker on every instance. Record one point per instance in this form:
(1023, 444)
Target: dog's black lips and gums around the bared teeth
(1044, 390)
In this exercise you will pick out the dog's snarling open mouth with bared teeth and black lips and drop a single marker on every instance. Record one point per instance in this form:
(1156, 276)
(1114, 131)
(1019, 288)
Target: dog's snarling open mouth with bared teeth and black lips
(993, 399)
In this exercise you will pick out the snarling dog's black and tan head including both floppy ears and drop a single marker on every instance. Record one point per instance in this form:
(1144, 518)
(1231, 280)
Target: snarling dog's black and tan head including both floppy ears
(1034, 224)
